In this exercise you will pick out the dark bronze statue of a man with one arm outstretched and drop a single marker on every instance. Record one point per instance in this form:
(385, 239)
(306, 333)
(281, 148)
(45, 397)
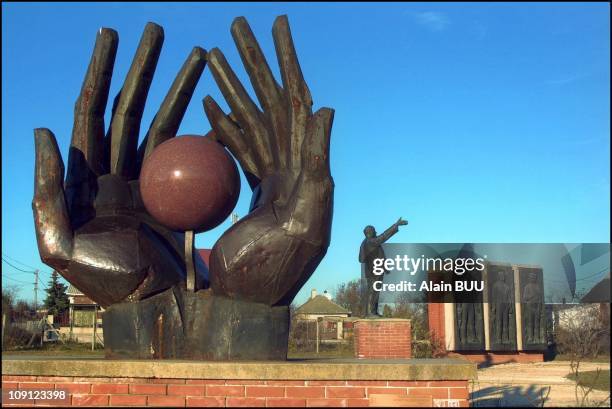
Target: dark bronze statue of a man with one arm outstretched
(370, 250)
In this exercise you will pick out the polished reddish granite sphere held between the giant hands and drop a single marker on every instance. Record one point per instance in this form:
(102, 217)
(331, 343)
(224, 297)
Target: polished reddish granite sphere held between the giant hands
(190, 183)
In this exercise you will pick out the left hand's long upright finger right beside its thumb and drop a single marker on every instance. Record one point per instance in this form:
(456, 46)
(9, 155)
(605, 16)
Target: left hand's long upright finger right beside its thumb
(86, 157)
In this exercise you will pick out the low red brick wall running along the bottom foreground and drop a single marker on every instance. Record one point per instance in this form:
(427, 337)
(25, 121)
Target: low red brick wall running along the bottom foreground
(220, 393)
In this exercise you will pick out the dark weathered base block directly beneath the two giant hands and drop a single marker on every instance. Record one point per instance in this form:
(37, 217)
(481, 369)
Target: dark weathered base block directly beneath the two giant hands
(179, 324)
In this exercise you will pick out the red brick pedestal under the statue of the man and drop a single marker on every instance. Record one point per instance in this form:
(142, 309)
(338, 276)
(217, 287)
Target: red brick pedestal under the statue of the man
(383, 338)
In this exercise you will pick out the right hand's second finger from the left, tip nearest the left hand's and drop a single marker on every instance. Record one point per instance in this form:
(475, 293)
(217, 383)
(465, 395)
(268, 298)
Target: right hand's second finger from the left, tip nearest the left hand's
(245, 110)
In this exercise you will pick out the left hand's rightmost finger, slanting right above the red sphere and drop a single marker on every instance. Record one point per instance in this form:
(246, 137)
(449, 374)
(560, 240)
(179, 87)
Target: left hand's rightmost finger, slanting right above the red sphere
(168, 119)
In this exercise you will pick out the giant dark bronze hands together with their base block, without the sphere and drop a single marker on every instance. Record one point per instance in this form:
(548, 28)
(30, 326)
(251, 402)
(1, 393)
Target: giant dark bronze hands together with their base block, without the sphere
(96, 232)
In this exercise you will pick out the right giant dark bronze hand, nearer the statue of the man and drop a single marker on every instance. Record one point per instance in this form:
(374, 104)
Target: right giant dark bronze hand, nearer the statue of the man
(283, 150)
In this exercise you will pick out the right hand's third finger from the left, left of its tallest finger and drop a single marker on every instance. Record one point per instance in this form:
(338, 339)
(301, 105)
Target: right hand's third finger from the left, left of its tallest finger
(267, 89)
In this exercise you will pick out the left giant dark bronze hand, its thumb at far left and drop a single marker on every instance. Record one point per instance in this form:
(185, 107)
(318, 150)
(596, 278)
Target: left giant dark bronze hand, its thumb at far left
(94, 229)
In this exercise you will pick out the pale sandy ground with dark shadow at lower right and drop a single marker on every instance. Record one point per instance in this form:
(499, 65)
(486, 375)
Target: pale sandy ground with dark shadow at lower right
(533, 385)
